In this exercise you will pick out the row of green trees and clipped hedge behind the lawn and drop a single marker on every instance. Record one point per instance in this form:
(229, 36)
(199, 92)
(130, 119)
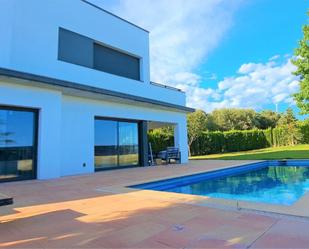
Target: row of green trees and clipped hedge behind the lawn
(284, 128)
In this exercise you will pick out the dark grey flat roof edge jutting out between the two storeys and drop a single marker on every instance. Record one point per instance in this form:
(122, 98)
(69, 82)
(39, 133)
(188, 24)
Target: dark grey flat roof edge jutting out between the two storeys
(85, 88)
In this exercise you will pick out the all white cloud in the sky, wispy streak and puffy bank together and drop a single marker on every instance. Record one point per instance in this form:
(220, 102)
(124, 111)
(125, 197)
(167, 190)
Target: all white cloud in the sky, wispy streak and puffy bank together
(184, 32)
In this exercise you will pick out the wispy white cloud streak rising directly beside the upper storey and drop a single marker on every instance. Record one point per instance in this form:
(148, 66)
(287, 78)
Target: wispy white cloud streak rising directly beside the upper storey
(182, 32)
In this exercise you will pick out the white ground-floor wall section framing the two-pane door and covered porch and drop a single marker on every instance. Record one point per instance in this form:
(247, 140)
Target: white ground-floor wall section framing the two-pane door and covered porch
(78, 141)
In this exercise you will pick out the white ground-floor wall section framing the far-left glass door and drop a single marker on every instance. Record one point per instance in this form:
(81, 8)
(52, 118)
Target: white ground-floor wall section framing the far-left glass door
(49, 105)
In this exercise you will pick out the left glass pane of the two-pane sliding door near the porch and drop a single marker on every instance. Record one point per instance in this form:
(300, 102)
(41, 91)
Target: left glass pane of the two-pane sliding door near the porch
(106, 154)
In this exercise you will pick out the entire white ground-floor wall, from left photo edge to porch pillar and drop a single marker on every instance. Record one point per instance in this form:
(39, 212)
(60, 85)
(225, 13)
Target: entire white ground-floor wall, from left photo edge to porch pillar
(66, 126)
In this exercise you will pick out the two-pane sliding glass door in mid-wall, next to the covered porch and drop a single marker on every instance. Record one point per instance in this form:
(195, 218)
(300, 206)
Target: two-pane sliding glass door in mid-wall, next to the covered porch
(116, 144)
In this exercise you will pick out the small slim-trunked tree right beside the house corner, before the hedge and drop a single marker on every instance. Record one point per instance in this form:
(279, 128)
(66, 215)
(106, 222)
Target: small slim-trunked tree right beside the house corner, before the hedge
(197, 123)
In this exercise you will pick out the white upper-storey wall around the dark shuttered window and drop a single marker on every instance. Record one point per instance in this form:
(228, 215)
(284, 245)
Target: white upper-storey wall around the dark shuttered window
(29, 43)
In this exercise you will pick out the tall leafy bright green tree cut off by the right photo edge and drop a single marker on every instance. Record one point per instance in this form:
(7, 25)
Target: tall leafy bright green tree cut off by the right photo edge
(302, 64)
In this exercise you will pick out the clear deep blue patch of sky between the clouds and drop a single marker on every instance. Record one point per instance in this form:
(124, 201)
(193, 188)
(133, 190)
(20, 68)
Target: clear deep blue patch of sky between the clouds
(261, 29)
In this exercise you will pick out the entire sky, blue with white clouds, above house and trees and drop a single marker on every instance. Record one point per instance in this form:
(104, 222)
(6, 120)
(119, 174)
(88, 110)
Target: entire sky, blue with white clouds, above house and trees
(222, 53)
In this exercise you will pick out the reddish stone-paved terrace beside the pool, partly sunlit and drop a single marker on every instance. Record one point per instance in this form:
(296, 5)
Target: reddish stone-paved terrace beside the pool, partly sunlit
(96, 211)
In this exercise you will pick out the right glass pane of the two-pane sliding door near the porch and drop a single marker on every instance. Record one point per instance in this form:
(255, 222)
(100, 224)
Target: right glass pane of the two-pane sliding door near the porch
(128, 144)
